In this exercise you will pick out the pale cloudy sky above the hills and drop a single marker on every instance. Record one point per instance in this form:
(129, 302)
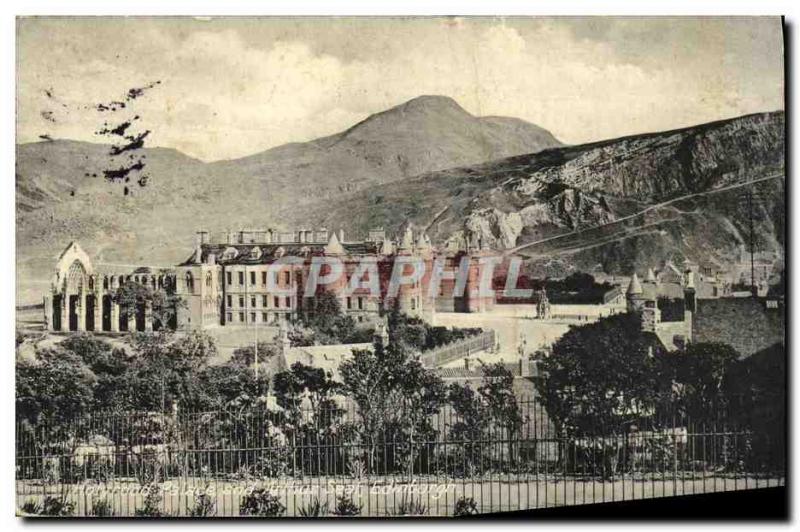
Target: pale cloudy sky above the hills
(232, 87)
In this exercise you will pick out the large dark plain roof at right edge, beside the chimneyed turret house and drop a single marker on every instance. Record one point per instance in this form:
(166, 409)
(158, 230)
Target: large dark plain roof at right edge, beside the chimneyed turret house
(746, 324)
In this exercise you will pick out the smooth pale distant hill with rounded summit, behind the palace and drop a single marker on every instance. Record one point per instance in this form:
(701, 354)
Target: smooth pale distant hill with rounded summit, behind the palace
(62, 196)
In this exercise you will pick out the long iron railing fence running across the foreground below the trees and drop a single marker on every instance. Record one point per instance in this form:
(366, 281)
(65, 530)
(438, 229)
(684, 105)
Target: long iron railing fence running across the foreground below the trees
(147, 463)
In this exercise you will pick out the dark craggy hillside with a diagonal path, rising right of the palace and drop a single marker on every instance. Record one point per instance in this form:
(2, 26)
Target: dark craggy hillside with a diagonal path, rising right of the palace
(612, 205)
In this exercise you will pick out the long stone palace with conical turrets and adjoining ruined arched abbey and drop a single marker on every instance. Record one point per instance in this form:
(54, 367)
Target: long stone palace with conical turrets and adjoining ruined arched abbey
(268, 277)
